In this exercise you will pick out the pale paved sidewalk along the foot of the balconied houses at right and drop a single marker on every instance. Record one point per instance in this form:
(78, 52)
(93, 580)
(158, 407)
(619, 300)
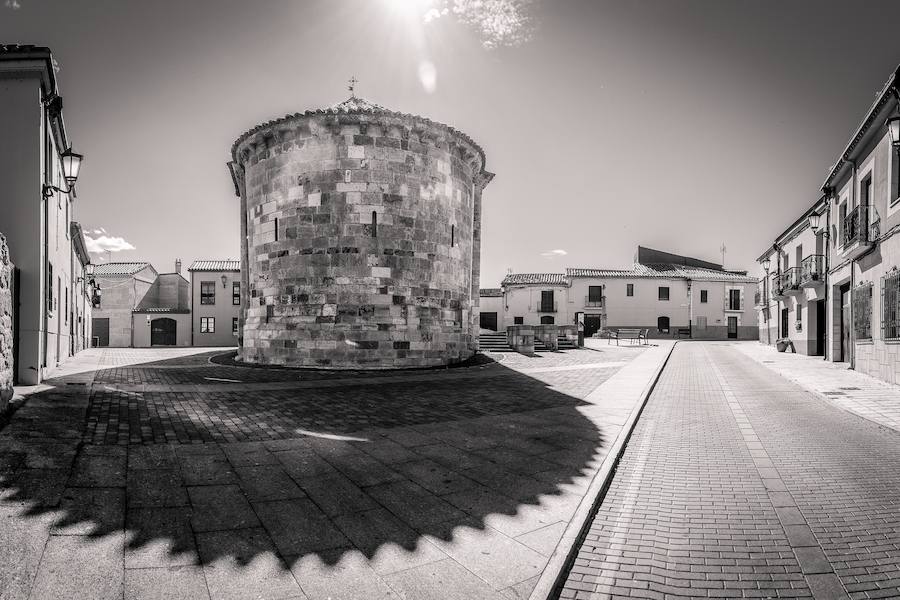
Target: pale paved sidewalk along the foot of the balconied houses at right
(857, 392)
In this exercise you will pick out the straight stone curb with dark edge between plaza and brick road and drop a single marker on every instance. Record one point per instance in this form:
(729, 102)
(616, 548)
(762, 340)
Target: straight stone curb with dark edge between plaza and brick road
(553, 575)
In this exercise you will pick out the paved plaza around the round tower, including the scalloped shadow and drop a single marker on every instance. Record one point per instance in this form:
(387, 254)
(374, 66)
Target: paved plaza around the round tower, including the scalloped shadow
(440, 484)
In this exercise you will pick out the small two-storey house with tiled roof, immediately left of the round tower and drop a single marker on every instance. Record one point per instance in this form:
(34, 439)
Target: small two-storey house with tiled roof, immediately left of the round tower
(215, 302)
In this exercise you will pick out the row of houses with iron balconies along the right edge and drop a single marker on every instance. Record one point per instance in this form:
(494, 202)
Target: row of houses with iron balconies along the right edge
(857, 223)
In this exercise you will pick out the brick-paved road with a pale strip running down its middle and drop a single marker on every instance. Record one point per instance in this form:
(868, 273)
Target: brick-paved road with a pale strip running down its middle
(738, 483)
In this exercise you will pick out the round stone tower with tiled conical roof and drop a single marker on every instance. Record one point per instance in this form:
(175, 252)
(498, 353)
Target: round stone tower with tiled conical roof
(360, 239)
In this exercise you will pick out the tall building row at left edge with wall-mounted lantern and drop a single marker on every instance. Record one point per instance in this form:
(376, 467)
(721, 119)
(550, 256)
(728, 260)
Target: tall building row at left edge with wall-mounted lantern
(36, 212)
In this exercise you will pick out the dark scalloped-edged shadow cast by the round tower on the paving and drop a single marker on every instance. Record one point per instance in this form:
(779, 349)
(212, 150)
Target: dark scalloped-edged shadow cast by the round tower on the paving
(378, 463)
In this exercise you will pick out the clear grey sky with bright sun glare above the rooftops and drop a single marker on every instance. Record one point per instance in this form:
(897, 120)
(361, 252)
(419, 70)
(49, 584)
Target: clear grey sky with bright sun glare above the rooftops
(680, 125)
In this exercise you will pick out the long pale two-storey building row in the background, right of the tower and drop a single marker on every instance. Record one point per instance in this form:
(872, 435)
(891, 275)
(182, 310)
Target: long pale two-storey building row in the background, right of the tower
(668, 294)
